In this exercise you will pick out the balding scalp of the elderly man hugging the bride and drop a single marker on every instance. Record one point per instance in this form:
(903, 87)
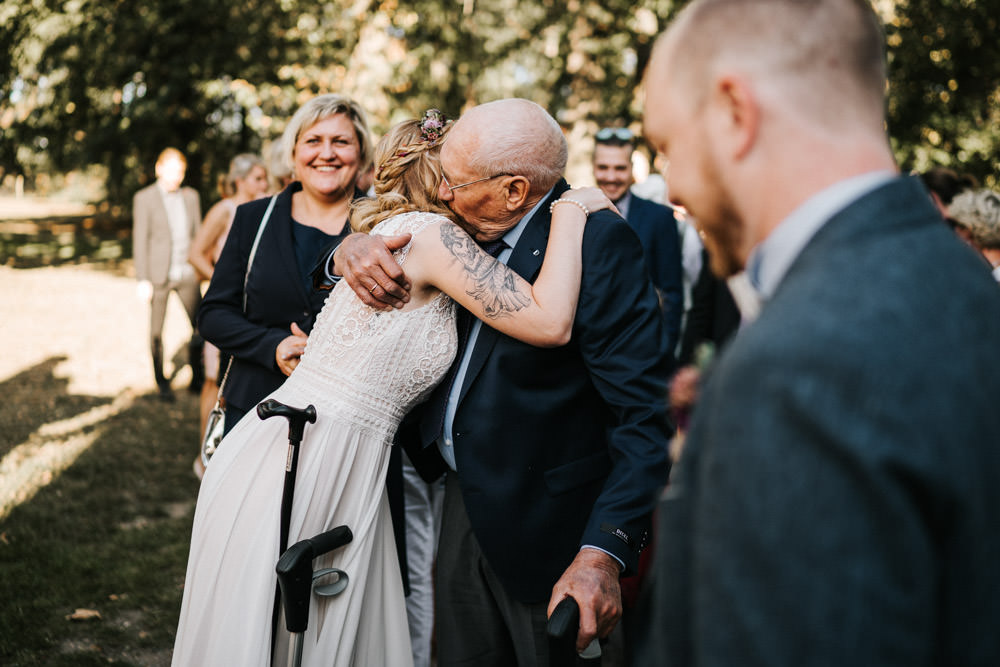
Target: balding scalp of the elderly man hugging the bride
(529, 143)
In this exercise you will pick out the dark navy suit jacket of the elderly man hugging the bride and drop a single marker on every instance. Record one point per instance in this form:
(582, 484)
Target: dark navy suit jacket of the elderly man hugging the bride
(557, 448)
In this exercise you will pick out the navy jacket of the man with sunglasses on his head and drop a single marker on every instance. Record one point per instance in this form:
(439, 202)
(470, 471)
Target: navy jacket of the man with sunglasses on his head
(661, 247)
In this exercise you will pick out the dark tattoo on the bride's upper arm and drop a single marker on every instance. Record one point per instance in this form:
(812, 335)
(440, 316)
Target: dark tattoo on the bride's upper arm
(494, 285)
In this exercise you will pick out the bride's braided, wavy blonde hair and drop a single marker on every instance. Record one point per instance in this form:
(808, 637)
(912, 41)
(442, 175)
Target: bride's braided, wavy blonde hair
(407, 176)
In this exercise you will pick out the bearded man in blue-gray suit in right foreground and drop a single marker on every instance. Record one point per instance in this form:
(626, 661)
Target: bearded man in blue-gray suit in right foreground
(837, 499)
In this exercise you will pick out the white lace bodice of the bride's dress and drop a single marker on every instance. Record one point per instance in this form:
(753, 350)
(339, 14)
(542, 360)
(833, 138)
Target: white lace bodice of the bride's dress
(378, 364)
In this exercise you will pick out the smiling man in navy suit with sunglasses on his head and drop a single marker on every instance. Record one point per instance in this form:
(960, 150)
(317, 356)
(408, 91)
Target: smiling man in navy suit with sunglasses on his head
(653, 223)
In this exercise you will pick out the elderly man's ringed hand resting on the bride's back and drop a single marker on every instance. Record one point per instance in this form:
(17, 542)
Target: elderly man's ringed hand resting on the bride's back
(366, 263)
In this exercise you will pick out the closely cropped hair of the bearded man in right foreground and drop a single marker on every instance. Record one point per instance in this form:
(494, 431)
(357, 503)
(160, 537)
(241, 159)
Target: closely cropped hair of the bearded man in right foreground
(826, 57)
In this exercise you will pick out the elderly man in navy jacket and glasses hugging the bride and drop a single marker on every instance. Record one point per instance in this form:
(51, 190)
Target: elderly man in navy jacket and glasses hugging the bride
(553, 457)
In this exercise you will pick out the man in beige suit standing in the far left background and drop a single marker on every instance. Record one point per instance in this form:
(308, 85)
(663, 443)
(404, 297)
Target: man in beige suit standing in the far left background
(165, 217)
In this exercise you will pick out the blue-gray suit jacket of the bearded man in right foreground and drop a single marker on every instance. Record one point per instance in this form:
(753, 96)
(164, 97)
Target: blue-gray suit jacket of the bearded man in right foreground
(837, 499)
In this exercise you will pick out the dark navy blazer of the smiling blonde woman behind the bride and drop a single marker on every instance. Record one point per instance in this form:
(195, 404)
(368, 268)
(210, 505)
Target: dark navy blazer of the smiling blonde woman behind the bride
(276, 297)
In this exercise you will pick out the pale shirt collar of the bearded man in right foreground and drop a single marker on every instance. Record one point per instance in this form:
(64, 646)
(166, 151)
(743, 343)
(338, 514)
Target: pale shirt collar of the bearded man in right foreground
(770, 260)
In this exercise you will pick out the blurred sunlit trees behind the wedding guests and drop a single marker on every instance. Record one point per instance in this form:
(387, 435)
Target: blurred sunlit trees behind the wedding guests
(109, 83)
